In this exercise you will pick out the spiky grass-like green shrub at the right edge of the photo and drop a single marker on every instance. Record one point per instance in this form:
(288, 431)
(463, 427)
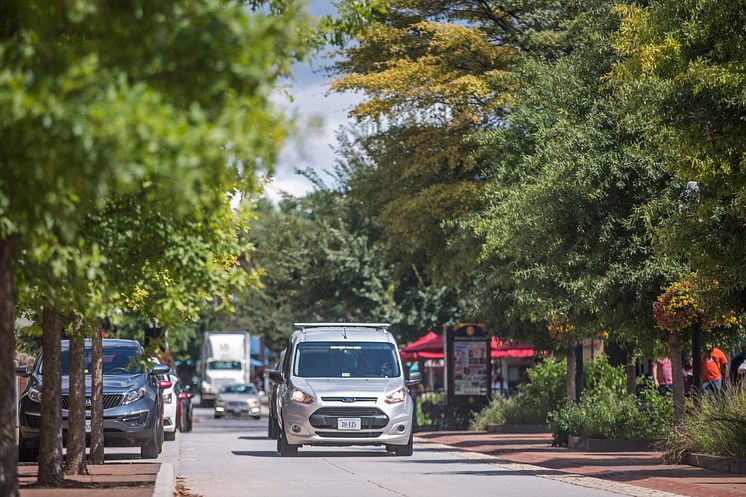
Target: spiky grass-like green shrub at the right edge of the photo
(715, 426)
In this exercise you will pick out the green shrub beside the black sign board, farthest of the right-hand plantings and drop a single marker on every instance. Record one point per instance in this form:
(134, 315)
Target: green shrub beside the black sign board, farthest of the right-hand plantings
(531, 402)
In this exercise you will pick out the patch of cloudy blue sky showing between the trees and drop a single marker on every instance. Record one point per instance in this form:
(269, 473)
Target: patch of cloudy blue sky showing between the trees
(318, 115)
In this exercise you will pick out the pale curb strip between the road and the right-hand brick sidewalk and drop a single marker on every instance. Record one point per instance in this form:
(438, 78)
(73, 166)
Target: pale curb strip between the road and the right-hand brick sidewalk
(551, 474)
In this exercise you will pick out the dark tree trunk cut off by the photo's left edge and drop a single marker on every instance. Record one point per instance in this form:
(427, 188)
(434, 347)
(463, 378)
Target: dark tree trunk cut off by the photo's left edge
(8, 401)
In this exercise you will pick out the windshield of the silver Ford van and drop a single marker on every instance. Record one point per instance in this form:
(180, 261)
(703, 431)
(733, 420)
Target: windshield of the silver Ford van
(345, 360)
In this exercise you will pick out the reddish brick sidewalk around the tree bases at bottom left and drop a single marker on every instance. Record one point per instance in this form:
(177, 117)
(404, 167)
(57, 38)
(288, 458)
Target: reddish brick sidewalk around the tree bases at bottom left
(104, 480)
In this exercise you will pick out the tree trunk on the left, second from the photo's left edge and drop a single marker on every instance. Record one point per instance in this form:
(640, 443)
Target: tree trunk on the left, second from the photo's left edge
(50, 434)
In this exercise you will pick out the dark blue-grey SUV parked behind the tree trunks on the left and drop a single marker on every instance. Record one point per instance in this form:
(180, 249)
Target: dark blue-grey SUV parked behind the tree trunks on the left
(132, 400)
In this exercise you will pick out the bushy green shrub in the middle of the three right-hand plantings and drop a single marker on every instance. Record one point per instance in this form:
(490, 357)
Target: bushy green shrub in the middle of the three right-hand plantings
(607, 411)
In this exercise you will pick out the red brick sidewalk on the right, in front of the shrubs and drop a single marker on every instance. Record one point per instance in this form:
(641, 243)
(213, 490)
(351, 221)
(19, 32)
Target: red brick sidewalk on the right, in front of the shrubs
(641, 469)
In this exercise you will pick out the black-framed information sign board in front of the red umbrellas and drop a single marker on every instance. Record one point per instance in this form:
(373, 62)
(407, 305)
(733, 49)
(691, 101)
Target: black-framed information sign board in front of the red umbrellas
(468, 364)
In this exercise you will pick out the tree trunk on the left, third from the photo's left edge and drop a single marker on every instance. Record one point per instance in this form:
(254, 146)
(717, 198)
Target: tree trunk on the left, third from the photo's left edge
(75, 458)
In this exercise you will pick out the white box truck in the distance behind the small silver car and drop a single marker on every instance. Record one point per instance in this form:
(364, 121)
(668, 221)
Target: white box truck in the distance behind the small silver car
(224, 359)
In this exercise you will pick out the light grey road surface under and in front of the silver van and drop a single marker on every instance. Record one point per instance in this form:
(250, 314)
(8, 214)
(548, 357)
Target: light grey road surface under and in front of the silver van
(234, 457)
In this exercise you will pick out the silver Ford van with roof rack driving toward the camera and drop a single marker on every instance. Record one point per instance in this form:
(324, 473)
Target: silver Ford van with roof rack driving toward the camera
(343, 384)
